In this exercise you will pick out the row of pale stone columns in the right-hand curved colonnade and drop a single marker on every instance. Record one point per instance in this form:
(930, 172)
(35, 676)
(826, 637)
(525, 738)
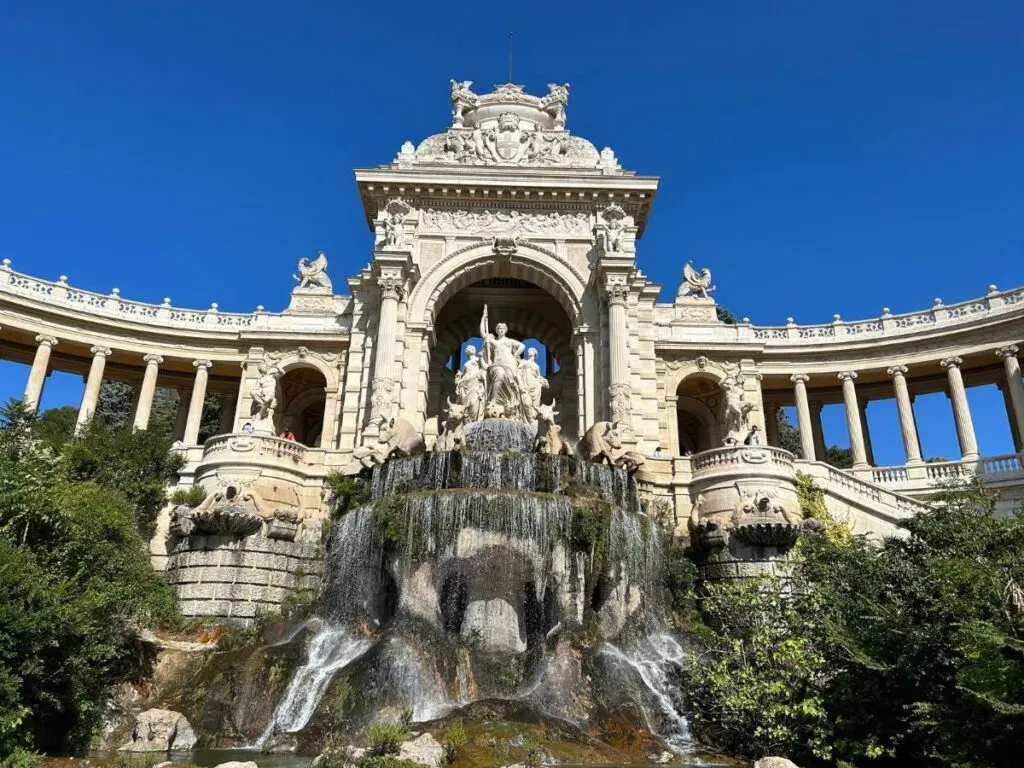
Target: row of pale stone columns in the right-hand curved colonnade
(809, 411)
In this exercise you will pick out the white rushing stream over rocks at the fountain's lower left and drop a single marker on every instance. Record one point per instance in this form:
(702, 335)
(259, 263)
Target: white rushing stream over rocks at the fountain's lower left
(330, 650)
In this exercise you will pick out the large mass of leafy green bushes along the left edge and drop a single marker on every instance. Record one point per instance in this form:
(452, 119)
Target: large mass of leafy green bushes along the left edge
(77, 586)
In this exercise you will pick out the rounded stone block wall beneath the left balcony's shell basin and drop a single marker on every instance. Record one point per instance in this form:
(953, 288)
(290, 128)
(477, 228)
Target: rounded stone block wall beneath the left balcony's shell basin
(225, 578)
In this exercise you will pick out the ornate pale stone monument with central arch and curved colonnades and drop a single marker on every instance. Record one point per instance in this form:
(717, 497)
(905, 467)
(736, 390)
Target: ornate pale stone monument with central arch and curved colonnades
(505, 228)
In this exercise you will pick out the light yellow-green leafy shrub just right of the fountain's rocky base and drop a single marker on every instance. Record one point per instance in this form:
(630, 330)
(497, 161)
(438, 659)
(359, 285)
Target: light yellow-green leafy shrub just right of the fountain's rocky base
(756, 687)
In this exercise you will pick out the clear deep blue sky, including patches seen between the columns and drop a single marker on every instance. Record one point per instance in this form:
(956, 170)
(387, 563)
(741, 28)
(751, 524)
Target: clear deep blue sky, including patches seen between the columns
(821, 158)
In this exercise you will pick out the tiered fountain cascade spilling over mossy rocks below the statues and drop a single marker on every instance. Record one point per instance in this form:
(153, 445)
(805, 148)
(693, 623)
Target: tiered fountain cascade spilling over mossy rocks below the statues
(476, 575)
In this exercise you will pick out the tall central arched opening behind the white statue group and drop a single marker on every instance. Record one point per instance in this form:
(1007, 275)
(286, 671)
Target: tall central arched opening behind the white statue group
(533, 316)
